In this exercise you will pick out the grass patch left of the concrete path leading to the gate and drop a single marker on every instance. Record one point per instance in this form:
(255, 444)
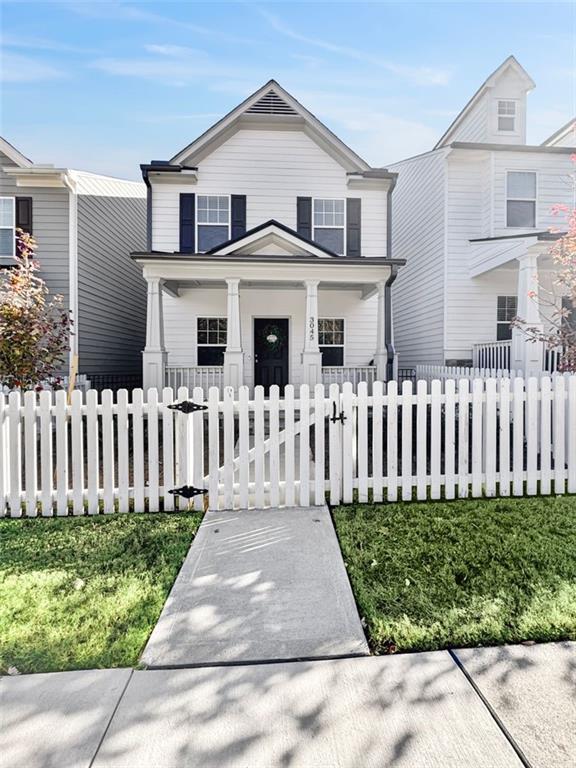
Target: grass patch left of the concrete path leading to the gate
(86, 592)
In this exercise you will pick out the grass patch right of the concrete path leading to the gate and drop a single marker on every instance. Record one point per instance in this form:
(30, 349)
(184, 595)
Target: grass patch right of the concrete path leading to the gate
(463, 573)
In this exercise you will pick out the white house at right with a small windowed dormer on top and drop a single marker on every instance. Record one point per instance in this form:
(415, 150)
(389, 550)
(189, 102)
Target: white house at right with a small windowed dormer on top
(472, 219)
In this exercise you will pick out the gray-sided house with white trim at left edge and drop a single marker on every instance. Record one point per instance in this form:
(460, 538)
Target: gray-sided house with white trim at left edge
(85, 226)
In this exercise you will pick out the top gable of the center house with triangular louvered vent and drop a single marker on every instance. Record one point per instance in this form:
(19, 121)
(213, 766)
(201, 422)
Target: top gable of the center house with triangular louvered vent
(270, 103)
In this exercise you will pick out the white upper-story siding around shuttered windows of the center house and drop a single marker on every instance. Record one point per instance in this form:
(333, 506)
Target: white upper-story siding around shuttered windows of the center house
(272, 168)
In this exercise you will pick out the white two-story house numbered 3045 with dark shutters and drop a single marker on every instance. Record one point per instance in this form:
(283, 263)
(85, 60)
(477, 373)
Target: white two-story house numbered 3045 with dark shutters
(268, 258)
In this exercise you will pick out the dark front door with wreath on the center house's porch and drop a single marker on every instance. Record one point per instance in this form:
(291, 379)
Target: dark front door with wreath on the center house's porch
(271, 352)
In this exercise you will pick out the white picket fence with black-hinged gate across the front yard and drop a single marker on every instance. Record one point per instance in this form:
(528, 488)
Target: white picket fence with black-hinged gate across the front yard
(100, 454)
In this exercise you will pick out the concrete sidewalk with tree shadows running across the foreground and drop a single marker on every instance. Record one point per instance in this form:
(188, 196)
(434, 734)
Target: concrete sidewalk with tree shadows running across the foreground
(406, 711)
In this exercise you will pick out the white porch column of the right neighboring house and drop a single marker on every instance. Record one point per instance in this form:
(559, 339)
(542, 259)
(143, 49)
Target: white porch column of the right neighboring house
(527, 356)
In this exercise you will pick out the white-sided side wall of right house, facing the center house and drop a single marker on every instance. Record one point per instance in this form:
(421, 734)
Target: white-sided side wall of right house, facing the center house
(418, 237)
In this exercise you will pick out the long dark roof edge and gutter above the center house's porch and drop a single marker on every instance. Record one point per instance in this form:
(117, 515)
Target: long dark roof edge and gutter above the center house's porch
(212, 259)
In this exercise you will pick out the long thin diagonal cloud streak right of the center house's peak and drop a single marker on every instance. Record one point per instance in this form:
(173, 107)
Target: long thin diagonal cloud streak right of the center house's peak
(416, 75)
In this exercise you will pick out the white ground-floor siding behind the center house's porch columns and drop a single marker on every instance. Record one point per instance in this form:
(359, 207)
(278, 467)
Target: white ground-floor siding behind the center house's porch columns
(180, 322)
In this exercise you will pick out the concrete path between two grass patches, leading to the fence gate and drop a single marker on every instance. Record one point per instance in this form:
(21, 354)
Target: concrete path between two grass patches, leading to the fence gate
(256, 586)
